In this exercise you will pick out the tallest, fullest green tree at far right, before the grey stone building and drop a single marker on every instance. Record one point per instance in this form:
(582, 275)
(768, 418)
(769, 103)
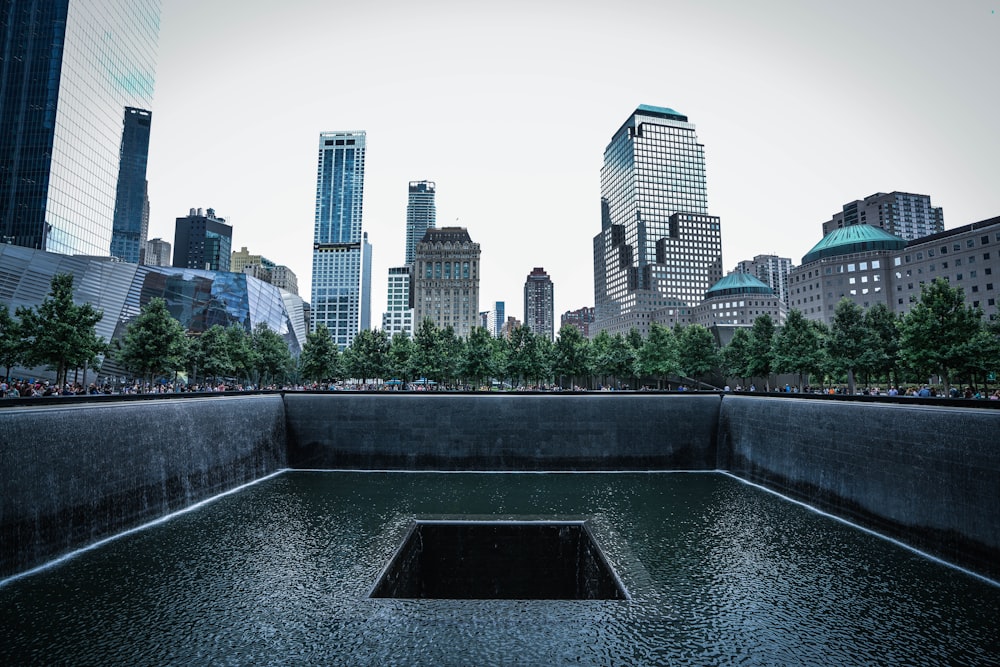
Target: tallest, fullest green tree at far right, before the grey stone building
(935, 335)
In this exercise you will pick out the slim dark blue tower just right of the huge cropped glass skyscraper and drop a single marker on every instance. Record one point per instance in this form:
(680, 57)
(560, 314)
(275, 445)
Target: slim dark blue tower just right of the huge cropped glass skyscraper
(131, 222)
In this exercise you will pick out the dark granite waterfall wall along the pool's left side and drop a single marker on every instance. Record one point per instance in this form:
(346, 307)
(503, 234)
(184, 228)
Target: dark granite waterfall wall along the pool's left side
(74, 474)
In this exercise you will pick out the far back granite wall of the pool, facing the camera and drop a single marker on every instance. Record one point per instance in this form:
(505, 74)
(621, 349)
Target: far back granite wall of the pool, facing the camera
(417, 431)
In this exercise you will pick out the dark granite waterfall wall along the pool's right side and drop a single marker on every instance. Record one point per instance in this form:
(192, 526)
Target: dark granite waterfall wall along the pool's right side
(928, 476)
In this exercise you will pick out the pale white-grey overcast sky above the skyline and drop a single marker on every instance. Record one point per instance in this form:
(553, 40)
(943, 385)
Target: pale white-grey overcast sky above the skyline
(802, 106)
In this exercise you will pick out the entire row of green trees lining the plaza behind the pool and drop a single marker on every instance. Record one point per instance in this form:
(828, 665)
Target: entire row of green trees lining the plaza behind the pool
(939, 336)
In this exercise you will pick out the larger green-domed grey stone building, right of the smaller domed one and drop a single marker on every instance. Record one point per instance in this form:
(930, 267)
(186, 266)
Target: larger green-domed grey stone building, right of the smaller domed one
(851, 262)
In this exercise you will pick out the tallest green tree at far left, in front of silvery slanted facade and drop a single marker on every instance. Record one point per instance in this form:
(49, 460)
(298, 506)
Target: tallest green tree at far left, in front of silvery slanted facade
(59, 333)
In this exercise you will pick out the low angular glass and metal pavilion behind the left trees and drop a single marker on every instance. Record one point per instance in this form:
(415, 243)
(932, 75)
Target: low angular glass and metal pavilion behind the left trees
(197, 299)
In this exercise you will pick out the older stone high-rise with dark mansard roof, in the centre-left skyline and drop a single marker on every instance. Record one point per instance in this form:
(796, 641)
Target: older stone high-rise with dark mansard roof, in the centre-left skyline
(446, 280)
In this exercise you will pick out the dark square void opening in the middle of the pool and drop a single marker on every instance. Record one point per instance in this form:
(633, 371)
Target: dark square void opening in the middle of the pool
(499, 560)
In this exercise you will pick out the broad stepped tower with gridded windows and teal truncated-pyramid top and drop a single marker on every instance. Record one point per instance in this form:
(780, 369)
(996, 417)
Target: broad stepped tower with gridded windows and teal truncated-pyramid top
(658, 251)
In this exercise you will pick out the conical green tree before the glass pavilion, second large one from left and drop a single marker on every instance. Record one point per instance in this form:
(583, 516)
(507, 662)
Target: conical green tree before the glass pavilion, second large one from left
(154, 343)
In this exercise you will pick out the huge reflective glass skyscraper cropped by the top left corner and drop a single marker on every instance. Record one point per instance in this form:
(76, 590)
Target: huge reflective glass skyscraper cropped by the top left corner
(67, 71)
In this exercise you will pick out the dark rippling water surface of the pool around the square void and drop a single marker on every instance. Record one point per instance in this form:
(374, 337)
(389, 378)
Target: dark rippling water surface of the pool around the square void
(719, 573)
